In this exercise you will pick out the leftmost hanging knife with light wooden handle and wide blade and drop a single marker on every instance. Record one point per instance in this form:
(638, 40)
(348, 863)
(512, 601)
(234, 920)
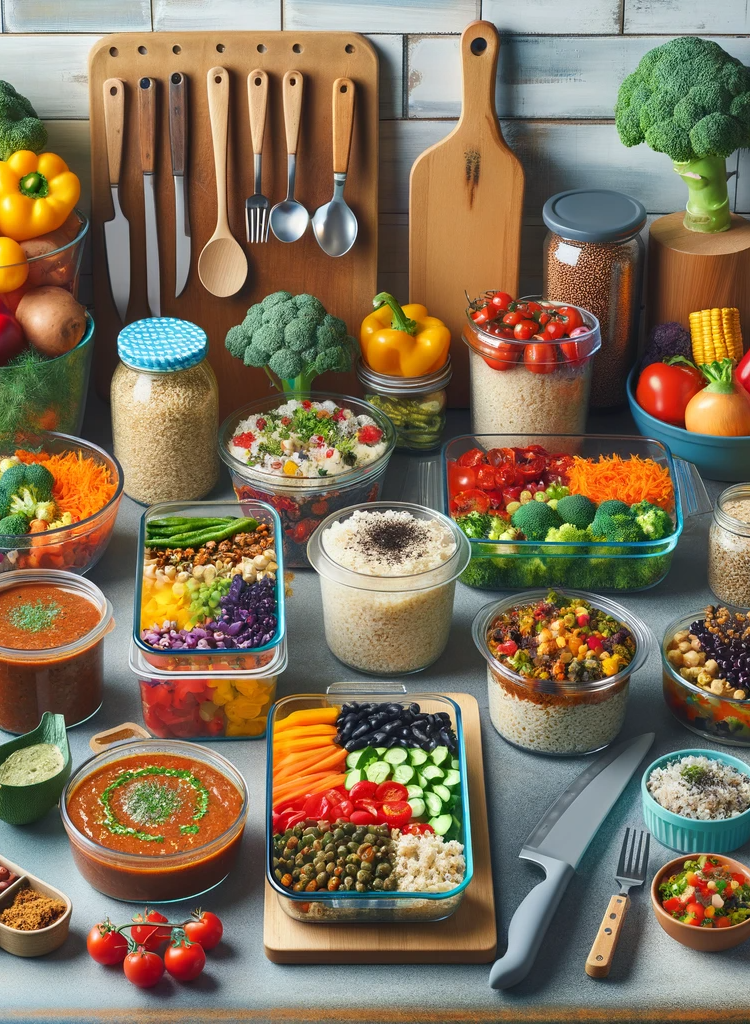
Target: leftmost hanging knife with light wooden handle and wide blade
(117, 231)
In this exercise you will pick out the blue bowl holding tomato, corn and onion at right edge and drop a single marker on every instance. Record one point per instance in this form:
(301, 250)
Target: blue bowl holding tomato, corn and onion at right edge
(717, 458)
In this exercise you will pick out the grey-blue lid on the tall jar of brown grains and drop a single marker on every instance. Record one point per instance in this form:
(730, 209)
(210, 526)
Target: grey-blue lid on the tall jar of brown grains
(594, 216)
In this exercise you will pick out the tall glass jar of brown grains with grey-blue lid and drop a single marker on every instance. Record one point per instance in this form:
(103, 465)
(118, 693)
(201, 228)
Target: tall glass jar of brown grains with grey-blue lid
(594, 259)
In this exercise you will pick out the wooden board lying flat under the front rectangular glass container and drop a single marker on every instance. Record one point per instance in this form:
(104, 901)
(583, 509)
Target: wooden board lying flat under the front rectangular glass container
(470, 936)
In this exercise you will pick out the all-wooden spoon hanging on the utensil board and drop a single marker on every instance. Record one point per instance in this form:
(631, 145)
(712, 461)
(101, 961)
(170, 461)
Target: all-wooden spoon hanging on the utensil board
(223, 265)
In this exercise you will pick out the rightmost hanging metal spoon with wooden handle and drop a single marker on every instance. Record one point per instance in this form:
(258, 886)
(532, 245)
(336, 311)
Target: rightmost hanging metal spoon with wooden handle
(335, 225)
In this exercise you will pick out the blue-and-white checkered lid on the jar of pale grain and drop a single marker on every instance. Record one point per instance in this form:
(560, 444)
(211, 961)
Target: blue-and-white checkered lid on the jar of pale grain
(162, 344)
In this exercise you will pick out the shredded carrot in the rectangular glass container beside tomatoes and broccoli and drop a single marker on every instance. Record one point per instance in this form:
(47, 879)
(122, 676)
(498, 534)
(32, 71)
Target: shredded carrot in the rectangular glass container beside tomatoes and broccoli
(631, 481)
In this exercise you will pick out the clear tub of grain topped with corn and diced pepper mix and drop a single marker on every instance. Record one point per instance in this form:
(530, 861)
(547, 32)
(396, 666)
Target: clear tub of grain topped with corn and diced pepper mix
(559, 669)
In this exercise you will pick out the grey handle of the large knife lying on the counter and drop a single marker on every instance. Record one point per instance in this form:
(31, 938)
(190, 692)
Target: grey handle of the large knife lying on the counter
(530, 923)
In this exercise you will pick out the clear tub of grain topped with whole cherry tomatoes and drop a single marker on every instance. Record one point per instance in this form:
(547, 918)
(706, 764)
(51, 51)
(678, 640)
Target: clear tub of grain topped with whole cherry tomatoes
(530, 365)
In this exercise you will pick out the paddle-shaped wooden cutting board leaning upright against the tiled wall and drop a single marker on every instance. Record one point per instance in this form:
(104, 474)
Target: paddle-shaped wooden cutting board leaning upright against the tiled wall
(466, 205)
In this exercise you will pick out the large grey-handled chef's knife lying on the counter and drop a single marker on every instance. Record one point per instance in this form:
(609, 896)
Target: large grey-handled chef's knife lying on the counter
(558, 844)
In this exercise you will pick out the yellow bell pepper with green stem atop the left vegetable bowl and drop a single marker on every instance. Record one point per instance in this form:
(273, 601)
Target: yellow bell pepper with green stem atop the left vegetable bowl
(37, 194)
